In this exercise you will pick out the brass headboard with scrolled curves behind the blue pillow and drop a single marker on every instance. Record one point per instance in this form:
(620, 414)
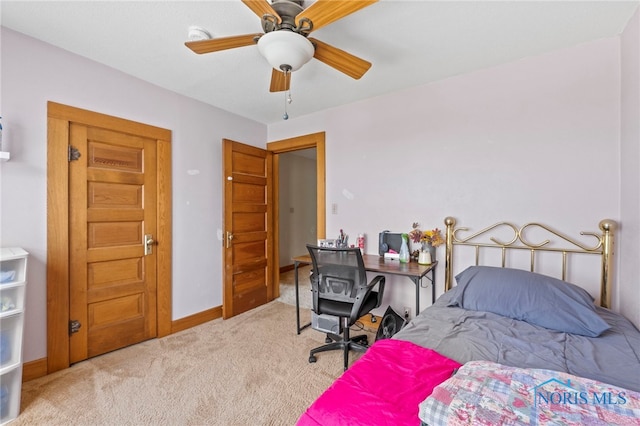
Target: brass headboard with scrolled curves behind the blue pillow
(603, 248)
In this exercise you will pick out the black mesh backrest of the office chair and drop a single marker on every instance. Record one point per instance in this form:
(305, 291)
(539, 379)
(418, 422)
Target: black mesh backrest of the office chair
(338, 274)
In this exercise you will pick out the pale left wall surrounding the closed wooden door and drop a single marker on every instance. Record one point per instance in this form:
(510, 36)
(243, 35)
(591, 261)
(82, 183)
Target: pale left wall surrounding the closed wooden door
(34, 73)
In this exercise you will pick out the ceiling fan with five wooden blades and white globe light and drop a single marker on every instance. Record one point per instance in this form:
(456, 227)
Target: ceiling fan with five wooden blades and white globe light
(285, 42)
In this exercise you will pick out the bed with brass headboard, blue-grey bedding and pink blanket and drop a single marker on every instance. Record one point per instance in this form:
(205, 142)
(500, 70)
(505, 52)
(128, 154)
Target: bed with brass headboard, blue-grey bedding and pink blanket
(506, 345)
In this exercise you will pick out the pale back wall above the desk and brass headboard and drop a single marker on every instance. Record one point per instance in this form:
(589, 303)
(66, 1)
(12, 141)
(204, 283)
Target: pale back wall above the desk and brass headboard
(533, 140)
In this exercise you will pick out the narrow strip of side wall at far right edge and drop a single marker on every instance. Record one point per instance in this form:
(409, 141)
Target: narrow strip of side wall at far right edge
(628, 244)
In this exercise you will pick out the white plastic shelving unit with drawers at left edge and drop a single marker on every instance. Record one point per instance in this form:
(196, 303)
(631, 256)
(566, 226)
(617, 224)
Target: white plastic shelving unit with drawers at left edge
(13, 280)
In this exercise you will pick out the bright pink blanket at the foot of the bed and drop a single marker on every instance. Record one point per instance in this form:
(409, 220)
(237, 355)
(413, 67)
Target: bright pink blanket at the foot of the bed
(384, 387)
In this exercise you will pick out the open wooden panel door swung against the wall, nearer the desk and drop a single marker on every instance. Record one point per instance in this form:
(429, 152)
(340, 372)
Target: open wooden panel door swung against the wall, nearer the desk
(248, 253)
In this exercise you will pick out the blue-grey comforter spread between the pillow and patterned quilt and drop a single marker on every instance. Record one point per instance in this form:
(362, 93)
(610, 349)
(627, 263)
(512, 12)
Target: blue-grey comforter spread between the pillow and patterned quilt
(463, 335)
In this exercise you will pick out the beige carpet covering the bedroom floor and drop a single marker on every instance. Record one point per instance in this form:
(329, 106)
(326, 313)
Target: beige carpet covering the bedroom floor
(250, 369)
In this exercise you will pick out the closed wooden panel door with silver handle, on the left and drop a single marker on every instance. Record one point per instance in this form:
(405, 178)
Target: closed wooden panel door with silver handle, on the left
(112, 207)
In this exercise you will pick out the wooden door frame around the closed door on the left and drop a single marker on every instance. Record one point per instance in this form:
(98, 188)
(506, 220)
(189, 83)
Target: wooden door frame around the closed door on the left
(58, 298)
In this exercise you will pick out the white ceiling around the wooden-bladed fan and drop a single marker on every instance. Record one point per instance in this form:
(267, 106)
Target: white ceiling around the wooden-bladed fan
(410, 43)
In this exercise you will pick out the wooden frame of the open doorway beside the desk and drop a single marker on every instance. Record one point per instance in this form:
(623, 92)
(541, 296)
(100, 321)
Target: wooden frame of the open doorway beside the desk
(313, 140)
